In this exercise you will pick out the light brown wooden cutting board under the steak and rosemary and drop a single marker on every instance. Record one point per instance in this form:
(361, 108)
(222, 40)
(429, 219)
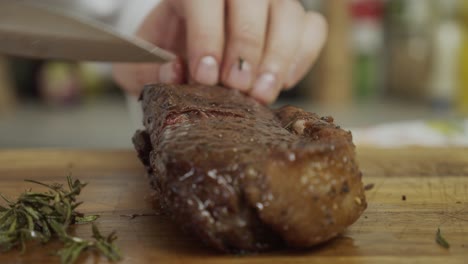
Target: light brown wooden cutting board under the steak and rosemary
(392, 229)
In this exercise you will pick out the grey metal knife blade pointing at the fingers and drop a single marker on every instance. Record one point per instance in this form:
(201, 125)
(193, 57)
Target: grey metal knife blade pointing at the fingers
(32, 30)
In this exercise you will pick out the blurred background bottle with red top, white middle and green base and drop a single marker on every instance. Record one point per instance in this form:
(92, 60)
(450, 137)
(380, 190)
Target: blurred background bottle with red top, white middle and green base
(367, 42)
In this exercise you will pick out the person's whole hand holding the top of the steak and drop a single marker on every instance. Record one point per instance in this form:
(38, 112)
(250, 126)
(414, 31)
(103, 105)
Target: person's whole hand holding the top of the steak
(257, 46)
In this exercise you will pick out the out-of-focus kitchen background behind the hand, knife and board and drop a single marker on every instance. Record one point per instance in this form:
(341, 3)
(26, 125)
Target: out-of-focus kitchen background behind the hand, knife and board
(395, 72)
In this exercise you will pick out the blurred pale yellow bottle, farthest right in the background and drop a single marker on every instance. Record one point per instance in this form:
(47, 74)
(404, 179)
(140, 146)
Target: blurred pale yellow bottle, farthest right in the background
(444, 71)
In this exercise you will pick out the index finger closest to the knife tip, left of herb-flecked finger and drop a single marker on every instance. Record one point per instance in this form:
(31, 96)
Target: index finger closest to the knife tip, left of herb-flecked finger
(204, 20)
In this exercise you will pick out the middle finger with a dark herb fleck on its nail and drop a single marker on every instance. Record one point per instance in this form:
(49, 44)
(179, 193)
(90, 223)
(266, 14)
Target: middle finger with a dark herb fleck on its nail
(246, 31)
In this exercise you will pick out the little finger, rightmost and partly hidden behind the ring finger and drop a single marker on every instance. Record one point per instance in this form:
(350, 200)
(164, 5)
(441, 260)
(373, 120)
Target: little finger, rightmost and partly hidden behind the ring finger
(312, 42)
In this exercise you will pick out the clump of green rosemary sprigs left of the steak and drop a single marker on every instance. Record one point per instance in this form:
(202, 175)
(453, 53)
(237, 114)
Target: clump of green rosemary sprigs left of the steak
(40, 216)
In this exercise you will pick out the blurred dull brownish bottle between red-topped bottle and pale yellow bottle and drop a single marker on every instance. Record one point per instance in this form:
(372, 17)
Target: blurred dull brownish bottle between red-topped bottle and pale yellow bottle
(409, 42)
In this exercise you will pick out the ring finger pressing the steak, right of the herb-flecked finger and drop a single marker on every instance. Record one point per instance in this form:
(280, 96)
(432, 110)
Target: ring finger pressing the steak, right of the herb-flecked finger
(286, 25)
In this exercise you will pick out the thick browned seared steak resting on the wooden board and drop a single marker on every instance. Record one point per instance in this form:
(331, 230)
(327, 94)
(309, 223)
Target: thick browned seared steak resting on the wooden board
(243, 177)
